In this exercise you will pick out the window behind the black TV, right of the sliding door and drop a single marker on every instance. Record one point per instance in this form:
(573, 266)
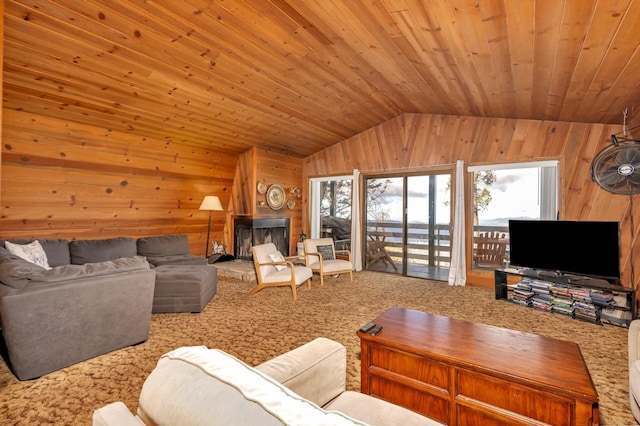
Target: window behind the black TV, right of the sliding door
(509, 191)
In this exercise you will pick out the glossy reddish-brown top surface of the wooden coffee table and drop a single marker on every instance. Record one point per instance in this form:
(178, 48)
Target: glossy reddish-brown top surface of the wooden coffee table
(519, 357)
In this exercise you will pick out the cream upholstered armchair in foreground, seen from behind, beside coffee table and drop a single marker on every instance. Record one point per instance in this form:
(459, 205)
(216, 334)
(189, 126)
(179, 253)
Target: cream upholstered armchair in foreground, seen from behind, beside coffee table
(200, 386)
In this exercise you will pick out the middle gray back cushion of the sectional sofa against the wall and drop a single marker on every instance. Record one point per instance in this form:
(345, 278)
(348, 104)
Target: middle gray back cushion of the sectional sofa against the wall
(93, 251)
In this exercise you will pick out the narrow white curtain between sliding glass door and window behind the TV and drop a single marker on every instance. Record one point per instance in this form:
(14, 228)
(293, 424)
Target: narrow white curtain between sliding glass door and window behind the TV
(458, 269)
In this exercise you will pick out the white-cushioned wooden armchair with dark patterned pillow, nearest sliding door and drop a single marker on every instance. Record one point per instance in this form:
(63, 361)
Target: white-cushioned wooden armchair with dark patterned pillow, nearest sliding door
(322, 257)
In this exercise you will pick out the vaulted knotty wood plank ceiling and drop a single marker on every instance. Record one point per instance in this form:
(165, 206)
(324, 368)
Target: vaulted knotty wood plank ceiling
(296, 76)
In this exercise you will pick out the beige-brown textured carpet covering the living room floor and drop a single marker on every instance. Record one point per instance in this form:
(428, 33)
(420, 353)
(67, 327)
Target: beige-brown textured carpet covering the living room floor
(259, 327)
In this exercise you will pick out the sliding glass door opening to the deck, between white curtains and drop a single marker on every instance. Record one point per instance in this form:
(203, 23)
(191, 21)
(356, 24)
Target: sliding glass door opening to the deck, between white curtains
(408, 224)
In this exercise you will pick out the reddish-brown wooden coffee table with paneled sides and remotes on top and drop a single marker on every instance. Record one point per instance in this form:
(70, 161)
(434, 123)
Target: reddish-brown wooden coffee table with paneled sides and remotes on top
(459, 372)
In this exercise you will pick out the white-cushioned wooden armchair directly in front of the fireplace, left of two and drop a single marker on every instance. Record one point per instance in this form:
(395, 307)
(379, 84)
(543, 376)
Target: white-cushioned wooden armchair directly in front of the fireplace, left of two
(274, 270)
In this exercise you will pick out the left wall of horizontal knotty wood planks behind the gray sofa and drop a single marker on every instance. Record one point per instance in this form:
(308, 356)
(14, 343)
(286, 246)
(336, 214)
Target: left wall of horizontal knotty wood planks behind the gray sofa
(64, 180)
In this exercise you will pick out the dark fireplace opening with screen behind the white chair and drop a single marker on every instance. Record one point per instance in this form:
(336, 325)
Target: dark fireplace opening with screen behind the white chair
(249, 232)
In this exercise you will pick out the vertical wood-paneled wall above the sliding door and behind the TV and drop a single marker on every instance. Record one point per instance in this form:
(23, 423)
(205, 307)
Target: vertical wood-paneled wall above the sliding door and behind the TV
(420, 141)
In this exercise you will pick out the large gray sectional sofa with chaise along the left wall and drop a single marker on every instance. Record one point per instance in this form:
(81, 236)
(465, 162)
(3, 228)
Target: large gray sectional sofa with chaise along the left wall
(93, 296)
